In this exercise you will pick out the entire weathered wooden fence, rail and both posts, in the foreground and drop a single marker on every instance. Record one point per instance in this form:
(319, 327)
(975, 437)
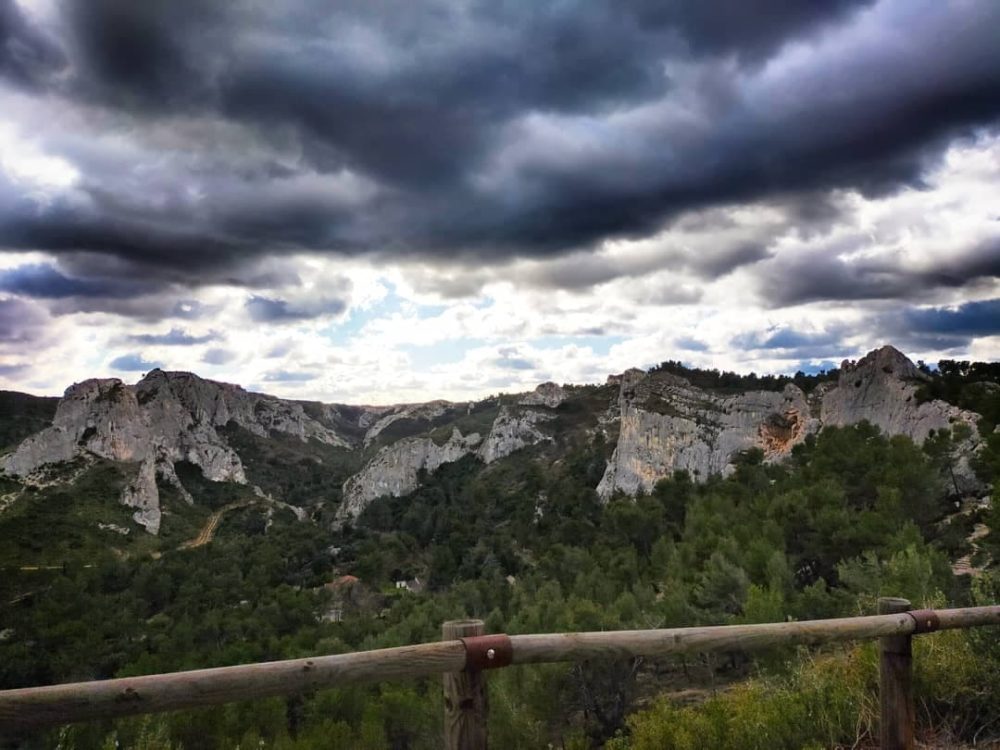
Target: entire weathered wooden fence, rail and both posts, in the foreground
(465, 653)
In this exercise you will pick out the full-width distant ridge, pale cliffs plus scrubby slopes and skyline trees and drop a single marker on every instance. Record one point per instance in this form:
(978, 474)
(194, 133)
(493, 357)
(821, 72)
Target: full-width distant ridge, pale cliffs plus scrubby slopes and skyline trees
(334, 460)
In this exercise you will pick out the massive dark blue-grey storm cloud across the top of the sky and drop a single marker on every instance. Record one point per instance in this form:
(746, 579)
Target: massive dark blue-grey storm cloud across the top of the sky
(484, 130)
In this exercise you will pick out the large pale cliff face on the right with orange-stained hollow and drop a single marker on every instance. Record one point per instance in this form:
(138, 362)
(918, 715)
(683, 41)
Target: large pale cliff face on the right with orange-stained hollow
(666, 424)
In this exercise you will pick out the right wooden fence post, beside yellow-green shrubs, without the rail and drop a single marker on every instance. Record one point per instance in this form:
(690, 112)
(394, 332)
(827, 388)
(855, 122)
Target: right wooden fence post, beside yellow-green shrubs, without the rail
(895, 682)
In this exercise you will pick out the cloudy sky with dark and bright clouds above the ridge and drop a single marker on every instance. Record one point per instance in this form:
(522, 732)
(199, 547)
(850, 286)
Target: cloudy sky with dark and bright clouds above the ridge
(386, 200)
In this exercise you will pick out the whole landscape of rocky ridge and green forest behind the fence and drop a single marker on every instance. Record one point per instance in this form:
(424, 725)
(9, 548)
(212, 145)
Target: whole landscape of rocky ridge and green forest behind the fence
(221, 526)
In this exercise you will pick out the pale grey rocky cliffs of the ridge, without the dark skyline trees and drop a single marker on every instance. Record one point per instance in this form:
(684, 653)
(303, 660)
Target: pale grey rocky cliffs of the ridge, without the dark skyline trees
(659, 422)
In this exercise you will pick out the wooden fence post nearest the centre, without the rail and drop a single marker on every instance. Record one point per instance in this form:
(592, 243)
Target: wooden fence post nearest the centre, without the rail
(465, 704)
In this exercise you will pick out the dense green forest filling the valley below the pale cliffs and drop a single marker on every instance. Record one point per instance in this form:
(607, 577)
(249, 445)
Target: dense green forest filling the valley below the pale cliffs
(527, 546)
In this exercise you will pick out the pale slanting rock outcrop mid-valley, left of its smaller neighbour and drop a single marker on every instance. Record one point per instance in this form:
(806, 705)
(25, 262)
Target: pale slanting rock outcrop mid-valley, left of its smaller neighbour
(395, 469)
